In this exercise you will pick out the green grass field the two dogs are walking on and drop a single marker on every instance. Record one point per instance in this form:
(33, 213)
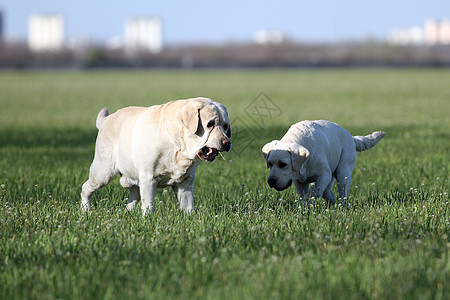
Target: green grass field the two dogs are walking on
(244, 240)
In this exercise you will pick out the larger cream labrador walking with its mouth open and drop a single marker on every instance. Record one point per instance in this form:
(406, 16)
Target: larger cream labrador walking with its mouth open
(157, 146)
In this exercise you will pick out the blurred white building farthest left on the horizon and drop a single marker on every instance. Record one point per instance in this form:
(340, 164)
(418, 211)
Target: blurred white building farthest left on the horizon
(46, 32)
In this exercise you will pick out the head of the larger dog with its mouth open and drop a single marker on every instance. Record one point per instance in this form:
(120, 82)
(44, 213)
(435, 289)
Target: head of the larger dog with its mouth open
(207, 126)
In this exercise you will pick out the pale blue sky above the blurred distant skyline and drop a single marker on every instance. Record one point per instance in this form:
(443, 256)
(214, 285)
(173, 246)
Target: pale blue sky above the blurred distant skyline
(232, 20)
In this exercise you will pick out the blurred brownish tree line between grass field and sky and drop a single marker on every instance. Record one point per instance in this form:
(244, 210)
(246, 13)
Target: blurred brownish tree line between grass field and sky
(232, 55)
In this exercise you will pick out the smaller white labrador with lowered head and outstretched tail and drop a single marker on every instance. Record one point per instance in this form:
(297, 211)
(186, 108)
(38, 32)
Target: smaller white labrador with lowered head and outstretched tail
(316, 152)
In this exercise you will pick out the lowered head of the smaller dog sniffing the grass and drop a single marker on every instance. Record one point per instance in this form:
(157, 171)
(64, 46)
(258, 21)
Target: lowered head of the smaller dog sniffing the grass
(284, 161)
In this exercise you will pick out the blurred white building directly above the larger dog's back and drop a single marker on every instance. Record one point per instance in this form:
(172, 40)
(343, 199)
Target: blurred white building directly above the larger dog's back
(143, 34)
